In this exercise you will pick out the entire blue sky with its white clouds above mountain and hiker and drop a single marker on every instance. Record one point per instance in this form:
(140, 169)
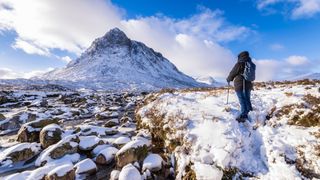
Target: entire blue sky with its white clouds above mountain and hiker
(277, 33)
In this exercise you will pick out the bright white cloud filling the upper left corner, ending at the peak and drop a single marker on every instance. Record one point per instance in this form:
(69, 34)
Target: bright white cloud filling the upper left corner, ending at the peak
(66, 25)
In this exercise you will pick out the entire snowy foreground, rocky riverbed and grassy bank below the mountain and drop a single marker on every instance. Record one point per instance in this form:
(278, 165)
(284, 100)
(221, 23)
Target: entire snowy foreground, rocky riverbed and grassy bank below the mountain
(171, 134)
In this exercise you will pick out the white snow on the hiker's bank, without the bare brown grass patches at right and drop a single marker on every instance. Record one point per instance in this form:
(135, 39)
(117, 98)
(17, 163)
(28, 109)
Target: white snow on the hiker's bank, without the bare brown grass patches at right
(213, 139)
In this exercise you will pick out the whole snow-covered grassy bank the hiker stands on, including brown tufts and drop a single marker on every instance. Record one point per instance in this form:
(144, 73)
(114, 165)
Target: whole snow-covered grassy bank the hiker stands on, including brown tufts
(281, 140)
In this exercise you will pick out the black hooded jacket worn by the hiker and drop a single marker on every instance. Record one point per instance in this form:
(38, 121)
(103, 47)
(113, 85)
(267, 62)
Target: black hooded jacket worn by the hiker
(236, 73)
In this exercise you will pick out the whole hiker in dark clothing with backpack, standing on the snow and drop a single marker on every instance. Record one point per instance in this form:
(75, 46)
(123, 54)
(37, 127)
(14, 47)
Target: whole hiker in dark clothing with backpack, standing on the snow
(242, 75)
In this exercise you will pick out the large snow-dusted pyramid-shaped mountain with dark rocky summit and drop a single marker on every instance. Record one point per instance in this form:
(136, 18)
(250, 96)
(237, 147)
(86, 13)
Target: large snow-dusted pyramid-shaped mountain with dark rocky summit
(115, 62)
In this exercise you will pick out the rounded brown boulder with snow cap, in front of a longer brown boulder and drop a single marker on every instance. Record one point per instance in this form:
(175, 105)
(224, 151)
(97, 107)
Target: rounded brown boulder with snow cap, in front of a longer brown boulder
(50, 134)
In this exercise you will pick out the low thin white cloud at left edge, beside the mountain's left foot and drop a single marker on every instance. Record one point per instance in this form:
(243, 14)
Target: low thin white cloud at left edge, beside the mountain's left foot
(6, 73)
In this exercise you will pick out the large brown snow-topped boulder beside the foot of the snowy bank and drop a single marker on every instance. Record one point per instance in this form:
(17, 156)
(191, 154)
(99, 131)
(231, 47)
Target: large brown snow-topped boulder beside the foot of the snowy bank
(135, 150)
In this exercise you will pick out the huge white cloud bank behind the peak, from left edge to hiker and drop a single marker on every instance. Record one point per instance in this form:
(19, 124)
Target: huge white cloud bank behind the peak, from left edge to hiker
(192, 44)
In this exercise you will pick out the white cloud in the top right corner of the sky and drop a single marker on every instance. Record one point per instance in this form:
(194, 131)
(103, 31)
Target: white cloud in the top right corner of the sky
(299, 8)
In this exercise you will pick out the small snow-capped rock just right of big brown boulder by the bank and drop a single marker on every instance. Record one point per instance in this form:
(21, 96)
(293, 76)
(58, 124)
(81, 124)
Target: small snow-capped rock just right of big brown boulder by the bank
(153, 162)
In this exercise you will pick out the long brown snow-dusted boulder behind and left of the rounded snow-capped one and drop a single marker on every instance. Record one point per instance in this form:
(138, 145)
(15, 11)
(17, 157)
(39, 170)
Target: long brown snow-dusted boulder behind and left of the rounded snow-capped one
(29, 132)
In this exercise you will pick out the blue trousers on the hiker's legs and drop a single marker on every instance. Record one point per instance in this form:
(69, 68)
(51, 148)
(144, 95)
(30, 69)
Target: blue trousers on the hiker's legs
(245, 102)
